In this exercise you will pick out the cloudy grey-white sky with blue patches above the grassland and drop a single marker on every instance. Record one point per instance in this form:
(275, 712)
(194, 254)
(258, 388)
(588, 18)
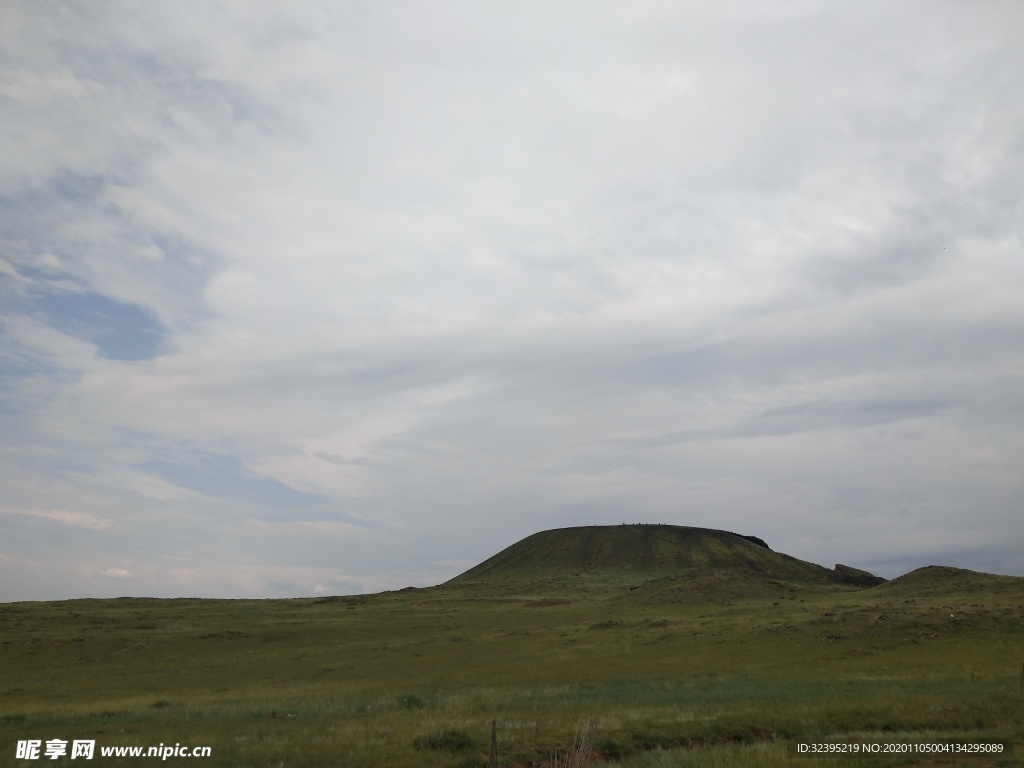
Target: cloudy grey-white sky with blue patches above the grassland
(330, 298)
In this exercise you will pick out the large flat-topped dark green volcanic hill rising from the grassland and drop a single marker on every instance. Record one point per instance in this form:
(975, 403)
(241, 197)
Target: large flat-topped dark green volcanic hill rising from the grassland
(660, 564)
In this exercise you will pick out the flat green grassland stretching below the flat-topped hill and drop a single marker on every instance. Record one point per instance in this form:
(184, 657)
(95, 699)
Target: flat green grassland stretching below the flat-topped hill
(414, 678)
